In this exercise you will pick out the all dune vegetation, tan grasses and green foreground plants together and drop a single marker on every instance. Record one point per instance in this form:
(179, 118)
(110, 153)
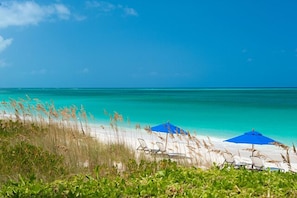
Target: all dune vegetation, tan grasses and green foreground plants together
(49, 152)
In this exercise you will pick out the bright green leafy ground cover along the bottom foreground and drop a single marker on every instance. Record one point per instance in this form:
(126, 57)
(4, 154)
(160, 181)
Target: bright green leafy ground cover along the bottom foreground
(170, 180)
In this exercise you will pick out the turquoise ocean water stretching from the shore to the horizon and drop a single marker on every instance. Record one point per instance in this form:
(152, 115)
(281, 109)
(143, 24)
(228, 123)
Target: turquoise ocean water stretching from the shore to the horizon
(222, 113)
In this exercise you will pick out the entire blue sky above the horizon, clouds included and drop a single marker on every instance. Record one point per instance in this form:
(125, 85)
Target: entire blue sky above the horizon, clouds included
(148, 43)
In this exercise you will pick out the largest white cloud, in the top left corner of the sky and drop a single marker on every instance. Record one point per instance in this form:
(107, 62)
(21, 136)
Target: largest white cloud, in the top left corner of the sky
(14, 13)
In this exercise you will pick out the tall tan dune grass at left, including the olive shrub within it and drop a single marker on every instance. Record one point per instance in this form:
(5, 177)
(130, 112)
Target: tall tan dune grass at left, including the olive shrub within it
(59, 137)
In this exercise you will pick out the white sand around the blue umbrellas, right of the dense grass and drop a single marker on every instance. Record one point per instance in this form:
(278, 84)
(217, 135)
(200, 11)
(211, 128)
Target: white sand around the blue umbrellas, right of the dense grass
(201, 151)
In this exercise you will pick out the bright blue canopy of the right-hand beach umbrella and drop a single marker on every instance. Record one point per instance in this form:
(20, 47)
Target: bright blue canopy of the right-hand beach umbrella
(252, 137)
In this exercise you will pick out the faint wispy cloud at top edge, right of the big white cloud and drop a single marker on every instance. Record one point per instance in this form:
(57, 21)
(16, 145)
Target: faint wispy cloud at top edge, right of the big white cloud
(107, 7)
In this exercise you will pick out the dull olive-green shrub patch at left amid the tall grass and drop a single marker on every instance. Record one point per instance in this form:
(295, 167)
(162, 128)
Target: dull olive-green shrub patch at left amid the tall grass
(29, 161)
